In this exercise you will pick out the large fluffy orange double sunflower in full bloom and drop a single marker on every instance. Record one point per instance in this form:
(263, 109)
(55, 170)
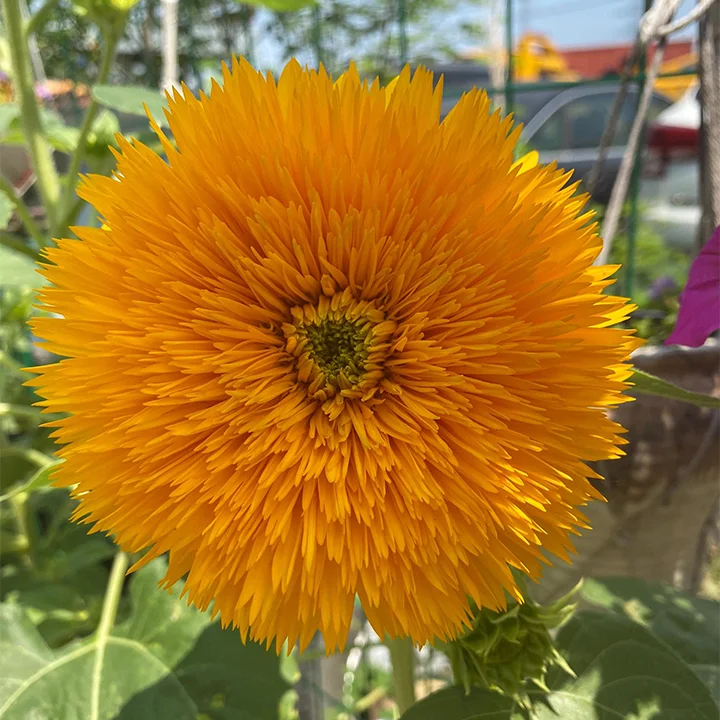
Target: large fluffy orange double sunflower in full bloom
(334, 347)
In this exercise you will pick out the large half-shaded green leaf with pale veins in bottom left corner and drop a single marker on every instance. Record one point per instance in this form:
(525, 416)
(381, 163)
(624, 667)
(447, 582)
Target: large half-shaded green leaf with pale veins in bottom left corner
(166, 661)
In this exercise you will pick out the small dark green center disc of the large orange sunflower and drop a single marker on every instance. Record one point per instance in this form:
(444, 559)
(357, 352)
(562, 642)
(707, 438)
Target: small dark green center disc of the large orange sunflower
(338, 346)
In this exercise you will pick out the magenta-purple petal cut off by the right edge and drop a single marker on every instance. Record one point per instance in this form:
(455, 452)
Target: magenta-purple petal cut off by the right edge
(699, 314)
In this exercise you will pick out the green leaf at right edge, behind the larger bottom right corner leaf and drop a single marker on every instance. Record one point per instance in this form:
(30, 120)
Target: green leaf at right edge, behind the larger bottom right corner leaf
(689, 625)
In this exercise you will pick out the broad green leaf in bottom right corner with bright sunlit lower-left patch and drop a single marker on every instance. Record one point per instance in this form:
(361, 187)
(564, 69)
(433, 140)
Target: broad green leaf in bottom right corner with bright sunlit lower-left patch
(623, 671)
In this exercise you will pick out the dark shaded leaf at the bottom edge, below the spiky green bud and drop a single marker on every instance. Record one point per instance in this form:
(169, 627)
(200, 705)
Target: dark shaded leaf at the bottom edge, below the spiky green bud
(454, 704)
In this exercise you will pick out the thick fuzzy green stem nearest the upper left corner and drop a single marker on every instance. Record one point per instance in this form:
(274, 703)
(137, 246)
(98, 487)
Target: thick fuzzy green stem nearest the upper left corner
(38, 146)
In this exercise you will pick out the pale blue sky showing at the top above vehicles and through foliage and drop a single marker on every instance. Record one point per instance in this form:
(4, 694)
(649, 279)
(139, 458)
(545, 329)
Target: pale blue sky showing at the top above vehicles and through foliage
(567, 23)
